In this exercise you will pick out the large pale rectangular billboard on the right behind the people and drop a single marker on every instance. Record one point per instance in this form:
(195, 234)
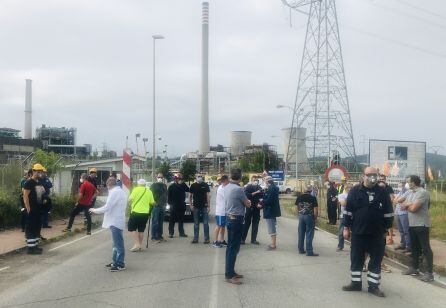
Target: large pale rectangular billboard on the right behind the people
(398, 159)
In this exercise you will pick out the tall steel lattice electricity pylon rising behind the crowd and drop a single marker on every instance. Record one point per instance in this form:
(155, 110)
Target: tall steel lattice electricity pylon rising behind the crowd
(321, 99)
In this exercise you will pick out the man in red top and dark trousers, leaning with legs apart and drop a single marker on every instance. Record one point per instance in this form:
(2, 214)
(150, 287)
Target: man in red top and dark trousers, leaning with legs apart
(87, 192)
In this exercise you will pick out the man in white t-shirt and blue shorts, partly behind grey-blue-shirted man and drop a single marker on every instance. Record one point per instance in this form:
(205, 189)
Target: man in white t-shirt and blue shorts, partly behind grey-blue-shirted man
(220, 213)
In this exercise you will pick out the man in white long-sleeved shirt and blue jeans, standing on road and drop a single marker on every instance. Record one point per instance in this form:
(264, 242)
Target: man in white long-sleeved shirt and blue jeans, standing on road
(114, 218)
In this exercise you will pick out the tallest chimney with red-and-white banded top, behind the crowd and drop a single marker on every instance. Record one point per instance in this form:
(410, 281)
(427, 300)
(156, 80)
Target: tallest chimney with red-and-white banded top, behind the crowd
(204, 119)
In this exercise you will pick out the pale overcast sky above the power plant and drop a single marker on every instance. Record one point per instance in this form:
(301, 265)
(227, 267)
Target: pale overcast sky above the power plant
(91, 66)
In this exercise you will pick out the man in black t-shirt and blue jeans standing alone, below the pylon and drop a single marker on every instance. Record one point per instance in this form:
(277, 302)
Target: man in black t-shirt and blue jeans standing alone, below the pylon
(307, 208)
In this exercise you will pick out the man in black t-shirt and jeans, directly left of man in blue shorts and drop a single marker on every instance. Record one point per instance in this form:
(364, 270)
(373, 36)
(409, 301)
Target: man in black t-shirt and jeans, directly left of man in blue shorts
(200, 205)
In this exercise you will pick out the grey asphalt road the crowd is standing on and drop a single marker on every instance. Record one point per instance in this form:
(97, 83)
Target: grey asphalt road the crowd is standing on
(179, 274)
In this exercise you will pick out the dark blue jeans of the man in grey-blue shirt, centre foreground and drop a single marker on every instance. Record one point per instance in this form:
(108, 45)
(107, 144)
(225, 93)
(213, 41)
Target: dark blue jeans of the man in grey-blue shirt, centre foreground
(235, 232)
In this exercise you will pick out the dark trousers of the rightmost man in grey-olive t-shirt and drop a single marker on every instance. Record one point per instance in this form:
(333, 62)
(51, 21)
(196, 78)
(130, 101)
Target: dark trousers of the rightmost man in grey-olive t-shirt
(421, 245)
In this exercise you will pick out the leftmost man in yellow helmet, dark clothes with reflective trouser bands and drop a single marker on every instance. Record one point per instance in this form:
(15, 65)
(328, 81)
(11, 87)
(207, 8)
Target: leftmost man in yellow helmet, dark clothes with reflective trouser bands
(31, 196)
